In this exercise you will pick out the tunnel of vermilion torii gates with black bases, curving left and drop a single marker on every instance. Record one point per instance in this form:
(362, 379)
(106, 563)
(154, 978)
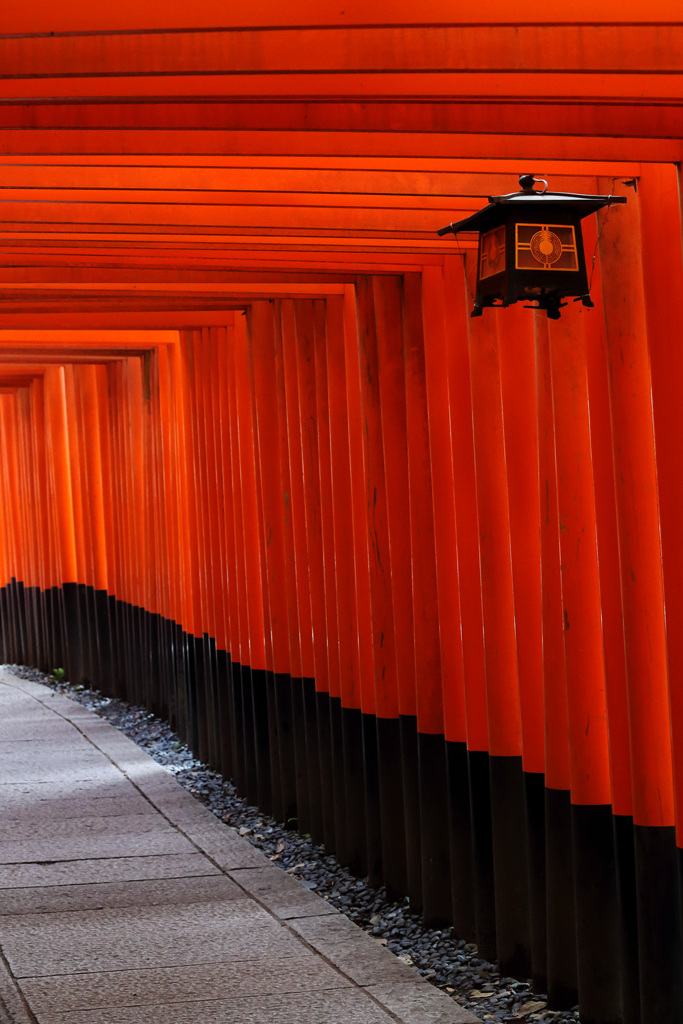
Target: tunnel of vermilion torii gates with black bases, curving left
(415, 581)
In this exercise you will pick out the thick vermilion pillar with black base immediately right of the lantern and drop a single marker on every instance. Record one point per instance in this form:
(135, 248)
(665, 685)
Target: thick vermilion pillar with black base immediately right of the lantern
(628, 343)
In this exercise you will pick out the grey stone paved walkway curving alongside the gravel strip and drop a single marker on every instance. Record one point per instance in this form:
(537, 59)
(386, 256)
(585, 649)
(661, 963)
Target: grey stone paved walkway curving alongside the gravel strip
(124, 902)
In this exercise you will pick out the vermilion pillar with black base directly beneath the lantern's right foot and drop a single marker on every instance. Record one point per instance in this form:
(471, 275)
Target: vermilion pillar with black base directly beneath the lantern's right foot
(595, 878)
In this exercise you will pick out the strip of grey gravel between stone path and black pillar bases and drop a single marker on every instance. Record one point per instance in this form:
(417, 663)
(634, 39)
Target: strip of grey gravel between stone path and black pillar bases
(447, 962)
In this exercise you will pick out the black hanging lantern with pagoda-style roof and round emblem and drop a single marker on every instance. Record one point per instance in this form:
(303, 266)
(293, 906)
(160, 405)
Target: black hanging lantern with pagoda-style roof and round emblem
(531, 247)
